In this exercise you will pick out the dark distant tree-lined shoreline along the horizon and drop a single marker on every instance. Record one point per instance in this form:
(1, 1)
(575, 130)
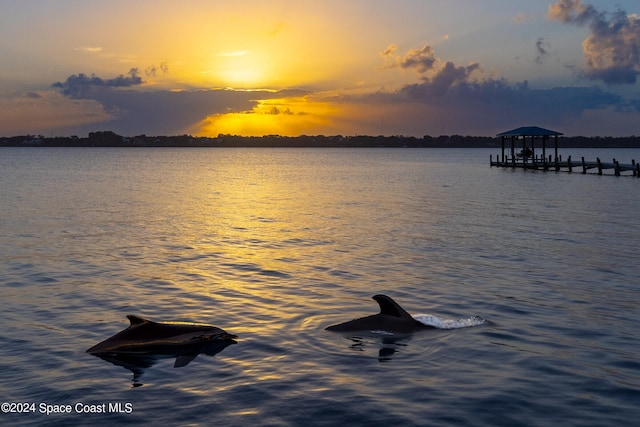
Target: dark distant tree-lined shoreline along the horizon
(111, 139)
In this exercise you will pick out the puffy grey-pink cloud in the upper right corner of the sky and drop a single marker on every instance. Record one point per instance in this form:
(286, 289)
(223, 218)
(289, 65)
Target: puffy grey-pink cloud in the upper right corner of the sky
(612, 50)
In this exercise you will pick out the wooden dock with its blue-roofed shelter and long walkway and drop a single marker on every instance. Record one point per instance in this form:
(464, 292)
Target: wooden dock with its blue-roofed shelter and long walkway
(527, 158)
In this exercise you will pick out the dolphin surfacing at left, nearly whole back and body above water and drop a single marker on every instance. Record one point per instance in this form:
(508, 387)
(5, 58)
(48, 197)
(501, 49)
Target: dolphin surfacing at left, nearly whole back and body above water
(144, 339)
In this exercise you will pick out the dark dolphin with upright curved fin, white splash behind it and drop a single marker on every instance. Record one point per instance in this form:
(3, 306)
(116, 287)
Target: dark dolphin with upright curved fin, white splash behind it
(392, 318)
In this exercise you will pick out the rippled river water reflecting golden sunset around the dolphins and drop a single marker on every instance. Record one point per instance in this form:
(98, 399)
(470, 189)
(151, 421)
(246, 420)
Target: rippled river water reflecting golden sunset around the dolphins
(273, 245)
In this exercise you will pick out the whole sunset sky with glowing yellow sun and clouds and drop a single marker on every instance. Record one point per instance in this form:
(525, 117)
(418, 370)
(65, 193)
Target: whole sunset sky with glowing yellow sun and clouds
(331, 67)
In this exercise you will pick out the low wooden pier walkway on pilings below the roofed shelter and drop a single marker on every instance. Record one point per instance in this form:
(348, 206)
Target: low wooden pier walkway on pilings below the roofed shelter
(568, 165)
